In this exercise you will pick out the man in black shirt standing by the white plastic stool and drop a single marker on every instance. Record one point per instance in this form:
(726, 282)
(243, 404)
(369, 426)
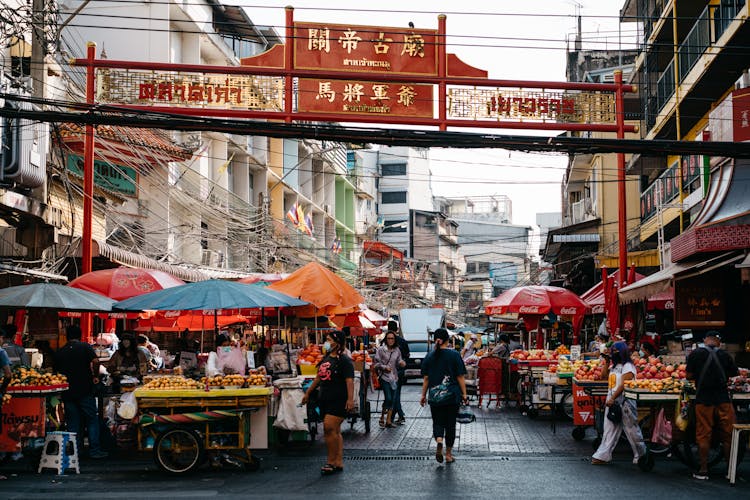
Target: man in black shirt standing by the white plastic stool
(77, 361)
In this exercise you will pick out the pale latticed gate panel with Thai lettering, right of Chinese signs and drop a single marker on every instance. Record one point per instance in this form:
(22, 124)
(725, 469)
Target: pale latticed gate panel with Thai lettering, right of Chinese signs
(510, 104)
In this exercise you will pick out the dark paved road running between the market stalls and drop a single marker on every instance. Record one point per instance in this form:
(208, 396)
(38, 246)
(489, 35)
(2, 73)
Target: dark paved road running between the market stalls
(501, 455)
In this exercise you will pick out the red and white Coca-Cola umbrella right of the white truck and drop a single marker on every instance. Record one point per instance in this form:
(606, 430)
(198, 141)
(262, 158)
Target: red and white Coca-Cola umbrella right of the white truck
(534, 301)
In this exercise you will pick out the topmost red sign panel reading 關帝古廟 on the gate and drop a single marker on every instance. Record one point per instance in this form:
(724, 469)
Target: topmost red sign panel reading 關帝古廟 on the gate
(365, 48)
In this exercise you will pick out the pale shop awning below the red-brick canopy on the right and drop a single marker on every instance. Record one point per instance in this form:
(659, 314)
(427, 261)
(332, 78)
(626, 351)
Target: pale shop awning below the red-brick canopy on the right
(661, 281)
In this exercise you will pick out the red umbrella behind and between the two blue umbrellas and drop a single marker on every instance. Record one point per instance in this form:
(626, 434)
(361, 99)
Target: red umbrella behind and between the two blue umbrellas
(123, 283)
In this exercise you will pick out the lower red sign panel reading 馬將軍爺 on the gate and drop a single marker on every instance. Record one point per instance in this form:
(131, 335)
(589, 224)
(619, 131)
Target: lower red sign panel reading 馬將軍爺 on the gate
(356, 97)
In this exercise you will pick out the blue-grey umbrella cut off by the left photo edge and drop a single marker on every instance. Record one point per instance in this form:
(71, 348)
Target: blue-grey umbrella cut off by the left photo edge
(54, 296)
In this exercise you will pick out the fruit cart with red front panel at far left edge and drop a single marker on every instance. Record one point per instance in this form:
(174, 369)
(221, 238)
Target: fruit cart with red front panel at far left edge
(28, 407)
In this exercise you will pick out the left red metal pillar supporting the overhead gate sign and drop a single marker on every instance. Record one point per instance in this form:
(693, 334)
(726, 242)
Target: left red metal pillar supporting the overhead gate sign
(88, 183)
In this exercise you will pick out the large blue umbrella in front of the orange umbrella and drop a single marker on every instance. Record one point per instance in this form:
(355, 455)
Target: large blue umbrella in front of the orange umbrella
(211, 294)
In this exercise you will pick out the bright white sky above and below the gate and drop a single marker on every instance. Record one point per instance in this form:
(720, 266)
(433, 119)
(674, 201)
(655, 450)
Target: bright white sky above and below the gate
(511, 40)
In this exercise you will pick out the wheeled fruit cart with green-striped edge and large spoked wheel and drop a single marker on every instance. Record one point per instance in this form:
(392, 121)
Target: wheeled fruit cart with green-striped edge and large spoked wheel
(183, 427)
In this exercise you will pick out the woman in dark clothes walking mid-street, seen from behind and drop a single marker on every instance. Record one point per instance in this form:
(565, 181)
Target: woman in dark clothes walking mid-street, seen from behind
(444, 389)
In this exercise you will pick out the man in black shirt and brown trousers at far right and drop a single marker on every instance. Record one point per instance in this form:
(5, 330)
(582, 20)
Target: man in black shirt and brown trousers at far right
(710, 367)
